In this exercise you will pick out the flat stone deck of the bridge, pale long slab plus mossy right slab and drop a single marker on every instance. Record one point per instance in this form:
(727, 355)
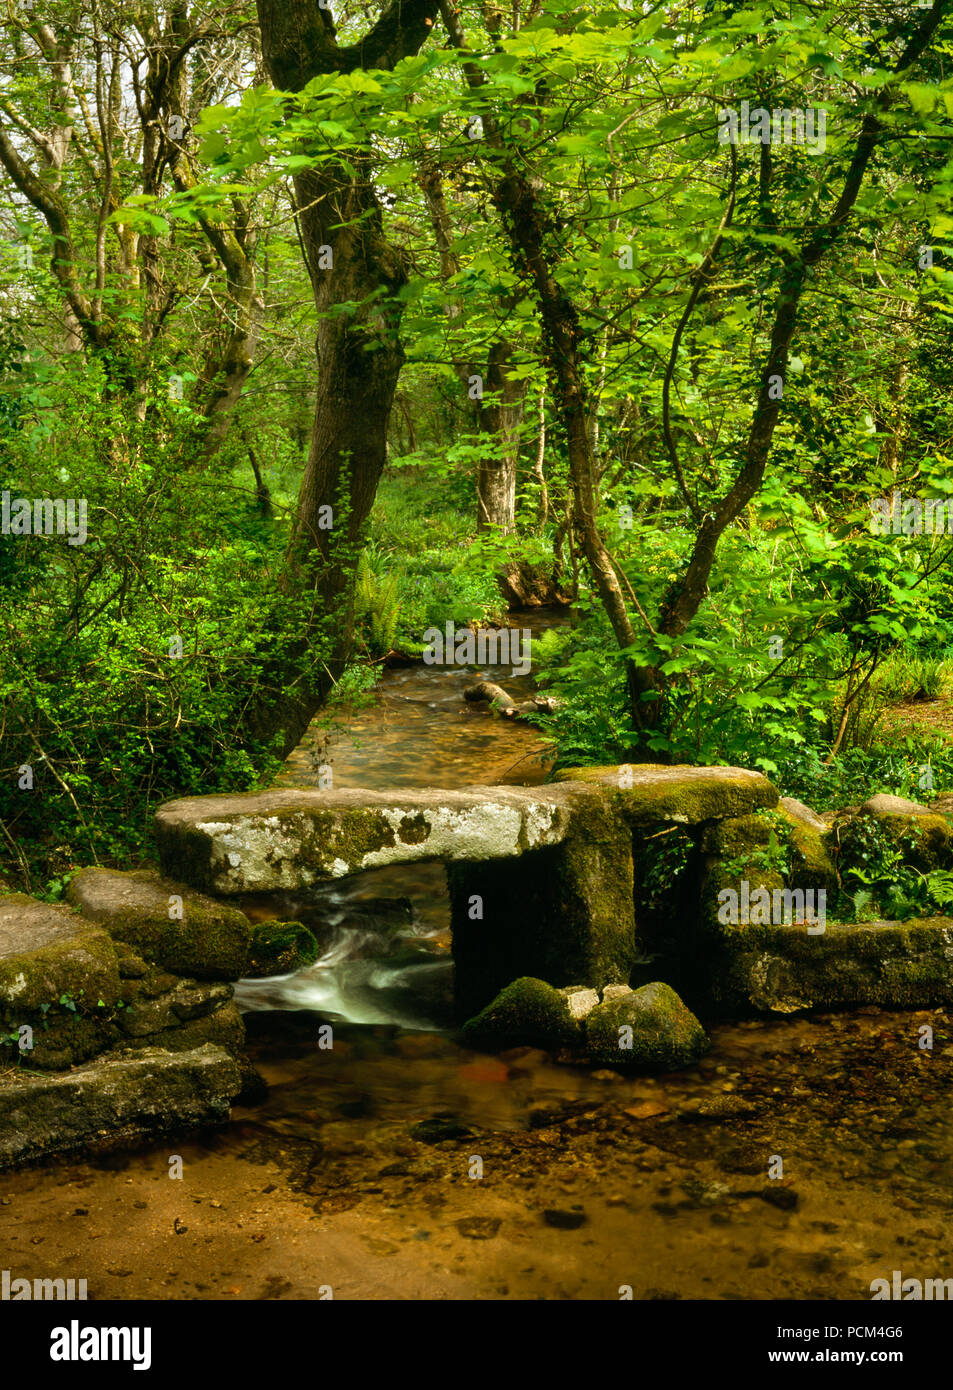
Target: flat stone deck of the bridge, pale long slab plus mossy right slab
(290, 837)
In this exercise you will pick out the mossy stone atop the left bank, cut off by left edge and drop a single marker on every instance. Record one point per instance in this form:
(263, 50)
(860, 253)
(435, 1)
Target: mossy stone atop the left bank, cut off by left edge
(48, 951)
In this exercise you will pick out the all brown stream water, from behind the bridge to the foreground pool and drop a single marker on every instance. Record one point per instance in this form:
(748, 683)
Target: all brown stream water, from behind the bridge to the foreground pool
(399, 1166)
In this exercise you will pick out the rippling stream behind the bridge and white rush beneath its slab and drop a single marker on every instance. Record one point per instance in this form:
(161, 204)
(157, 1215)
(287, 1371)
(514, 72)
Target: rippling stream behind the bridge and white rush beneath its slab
(387, 933)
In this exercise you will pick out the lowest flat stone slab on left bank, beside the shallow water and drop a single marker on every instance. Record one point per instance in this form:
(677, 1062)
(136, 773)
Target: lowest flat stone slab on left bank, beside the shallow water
(117, 1099)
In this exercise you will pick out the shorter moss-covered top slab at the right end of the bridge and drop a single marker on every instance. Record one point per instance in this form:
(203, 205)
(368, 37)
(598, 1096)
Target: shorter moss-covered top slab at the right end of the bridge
(649, 794)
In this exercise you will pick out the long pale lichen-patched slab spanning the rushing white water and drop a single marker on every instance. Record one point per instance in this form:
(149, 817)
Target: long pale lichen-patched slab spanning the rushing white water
(290, 839)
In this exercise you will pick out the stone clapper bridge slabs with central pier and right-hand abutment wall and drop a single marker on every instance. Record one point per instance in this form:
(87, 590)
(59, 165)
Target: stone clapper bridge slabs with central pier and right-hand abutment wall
(542, 883)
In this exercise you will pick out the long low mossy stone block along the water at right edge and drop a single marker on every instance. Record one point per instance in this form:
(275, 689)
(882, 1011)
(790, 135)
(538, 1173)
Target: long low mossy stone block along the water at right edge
(786, 970)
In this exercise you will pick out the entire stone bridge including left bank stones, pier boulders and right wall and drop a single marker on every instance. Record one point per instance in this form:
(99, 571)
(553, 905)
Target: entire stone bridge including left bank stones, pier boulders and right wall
(602, 882)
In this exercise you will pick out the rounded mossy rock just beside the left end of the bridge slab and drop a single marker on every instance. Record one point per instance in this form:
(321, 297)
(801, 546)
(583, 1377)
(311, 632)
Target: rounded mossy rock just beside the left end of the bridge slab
(209, 942)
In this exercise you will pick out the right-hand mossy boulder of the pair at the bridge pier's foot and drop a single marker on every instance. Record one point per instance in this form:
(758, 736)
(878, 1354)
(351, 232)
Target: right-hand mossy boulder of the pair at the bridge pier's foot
(647, 1029)
